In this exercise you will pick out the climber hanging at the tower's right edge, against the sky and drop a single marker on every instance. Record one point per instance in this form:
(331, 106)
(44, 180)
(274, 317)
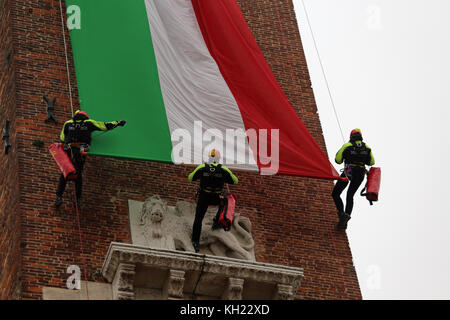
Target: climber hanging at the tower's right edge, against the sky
(356, 155)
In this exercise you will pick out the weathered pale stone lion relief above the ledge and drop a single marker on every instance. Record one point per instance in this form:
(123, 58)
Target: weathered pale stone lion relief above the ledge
(158, 225)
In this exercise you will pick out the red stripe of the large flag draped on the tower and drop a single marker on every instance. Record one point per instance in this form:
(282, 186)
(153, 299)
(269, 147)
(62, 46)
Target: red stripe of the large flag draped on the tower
(261, 100)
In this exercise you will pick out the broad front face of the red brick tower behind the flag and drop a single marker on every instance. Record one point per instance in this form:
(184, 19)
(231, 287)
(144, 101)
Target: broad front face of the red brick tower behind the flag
(293, 218)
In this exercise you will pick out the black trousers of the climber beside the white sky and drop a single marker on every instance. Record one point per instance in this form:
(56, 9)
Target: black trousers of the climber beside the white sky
(357, 177)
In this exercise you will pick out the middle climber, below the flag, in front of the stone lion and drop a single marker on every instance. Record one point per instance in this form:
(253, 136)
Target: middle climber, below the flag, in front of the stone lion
(213, 177)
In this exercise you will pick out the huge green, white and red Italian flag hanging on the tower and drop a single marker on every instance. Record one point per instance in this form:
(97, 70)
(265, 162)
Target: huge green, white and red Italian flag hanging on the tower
(177, 68)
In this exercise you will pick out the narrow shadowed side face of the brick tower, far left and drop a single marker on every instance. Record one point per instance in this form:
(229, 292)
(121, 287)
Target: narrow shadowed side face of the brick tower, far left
(9, 186)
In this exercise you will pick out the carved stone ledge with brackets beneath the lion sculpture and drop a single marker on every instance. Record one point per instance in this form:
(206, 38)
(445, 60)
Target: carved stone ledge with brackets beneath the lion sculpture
(198, 275)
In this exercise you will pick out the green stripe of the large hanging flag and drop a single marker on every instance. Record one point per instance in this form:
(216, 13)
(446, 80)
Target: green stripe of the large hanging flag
(117, 78)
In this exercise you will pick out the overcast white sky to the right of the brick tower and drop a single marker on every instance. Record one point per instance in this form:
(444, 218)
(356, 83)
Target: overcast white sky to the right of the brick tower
(388, 66)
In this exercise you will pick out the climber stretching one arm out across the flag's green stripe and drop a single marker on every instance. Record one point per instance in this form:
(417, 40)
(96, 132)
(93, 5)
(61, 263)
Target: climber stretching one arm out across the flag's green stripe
(76, 136)
